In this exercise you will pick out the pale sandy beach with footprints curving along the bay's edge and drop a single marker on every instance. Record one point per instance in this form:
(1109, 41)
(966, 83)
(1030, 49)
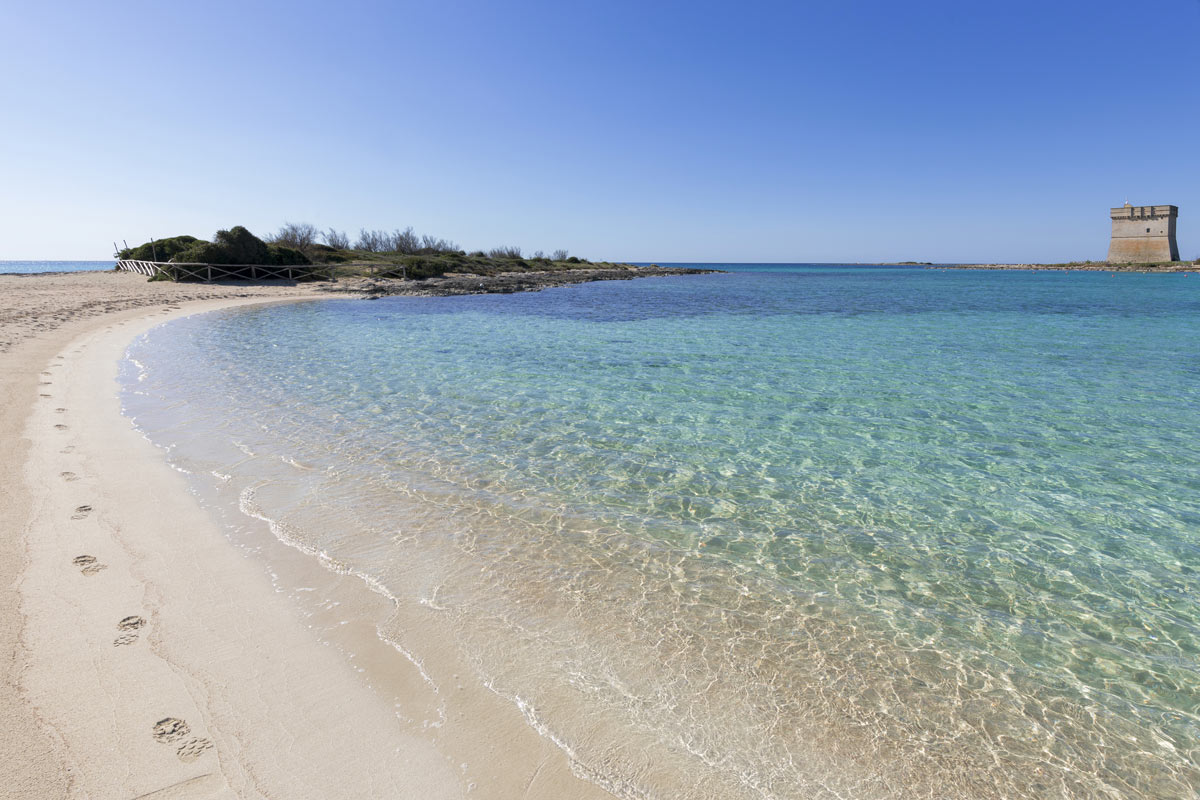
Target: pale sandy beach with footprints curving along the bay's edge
(145, 655)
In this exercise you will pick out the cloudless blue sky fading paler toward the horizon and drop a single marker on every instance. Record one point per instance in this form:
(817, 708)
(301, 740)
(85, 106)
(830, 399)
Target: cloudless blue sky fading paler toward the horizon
(845, 131)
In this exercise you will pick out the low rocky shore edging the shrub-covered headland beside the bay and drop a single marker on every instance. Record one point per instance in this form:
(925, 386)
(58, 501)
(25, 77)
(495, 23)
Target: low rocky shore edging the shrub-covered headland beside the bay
(460, 284)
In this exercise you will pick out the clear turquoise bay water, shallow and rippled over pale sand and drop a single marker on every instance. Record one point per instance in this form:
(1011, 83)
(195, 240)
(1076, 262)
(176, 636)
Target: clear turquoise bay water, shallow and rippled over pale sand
(788, 532)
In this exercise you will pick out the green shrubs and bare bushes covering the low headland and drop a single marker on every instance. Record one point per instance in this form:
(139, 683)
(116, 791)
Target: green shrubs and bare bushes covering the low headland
(395, 254)
